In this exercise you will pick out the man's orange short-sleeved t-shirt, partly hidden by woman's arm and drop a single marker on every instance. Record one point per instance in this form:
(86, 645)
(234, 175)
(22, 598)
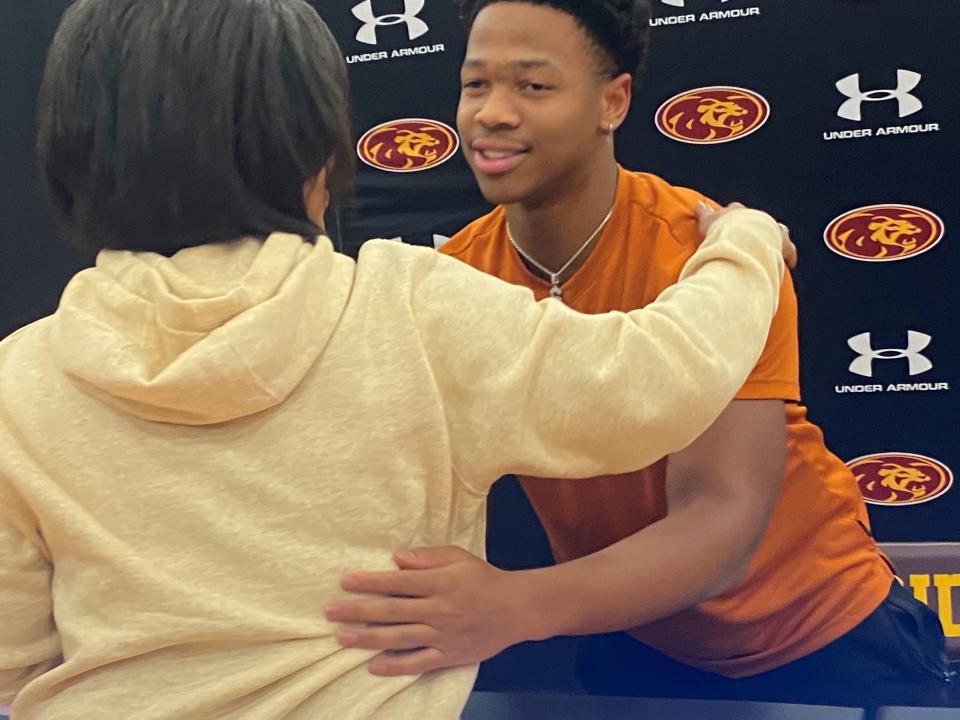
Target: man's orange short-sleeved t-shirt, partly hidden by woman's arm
(817, 572)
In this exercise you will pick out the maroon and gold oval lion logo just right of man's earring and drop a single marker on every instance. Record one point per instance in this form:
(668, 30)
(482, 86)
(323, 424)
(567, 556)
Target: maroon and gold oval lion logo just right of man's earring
(712, 115)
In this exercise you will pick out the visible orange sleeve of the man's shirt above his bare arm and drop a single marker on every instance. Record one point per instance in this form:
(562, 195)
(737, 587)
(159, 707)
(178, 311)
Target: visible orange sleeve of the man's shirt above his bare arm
(777, 373)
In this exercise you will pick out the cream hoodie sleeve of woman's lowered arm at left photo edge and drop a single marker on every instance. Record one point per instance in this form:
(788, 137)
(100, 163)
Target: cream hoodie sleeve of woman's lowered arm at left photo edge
(29, 642)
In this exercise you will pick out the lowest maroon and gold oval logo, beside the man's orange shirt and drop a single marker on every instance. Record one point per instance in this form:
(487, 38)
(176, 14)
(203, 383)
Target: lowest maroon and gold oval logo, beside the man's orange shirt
(900, 478)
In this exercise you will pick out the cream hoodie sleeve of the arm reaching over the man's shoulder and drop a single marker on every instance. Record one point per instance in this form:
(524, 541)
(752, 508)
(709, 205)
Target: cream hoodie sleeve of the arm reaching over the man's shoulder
(539, 389)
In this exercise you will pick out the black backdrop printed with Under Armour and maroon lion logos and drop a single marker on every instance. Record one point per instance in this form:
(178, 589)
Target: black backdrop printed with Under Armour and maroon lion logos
(403, 57)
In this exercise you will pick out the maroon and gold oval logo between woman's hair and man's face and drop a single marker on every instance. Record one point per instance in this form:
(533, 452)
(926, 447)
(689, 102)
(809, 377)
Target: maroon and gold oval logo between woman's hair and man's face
(408, 145)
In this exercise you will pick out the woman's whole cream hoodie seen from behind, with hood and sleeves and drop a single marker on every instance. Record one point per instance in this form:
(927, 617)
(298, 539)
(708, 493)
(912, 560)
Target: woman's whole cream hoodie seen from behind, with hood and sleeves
(193, 450)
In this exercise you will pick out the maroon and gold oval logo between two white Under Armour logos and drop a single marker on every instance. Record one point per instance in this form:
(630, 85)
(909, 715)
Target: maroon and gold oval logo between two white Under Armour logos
(883, 233)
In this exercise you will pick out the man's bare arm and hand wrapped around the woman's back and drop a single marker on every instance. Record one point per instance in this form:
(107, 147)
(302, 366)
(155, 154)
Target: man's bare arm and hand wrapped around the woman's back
(460, 610)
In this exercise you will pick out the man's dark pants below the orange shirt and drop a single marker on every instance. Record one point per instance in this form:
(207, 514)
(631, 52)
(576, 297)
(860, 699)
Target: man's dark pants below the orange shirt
(894, 657)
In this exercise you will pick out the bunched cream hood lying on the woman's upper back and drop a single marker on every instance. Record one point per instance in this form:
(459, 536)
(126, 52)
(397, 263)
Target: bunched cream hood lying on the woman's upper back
(212, 334)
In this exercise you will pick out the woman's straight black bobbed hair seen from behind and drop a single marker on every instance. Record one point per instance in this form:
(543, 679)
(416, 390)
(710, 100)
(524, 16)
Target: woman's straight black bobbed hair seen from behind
(165, 124)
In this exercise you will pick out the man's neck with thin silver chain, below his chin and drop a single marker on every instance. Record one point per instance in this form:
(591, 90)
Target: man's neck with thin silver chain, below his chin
(552, 232)
